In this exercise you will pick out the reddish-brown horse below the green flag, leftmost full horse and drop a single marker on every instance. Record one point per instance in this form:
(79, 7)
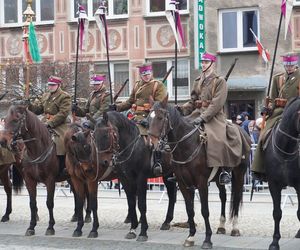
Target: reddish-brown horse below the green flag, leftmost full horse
(40, 163)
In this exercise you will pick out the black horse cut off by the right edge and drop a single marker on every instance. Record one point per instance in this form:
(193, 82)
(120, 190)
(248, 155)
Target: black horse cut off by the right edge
(282, 162)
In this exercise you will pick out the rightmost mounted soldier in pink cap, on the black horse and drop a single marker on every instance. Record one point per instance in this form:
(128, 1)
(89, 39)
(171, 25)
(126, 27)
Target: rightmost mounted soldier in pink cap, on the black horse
(285, 86)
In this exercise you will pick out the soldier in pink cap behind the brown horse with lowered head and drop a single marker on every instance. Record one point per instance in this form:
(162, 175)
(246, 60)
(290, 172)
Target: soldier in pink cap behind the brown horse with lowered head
(97, 103)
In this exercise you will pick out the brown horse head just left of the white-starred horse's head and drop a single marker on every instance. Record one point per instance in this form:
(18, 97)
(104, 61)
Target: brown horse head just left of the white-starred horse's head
(106, 139)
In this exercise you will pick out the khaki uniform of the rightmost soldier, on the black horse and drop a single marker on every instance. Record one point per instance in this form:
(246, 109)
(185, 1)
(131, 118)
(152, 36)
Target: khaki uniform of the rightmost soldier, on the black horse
(283, 86)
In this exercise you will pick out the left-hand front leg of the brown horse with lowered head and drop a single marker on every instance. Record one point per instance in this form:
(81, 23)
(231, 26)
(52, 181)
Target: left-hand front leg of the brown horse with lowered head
(80, 195)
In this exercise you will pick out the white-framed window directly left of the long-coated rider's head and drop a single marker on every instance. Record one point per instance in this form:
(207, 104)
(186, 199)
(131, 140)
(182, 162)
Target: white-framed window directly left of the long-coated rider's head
(159, 71)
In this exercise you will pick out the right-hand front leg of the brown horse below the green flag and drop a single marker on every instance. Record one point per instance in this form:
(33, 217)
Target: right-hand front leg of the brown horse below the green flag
(50, 205)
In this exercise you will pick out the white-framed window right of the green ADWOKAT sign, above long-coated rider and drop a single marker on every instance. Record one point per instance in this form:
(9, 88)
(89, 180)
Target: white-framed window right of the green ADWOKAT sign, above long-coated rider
(235, 25)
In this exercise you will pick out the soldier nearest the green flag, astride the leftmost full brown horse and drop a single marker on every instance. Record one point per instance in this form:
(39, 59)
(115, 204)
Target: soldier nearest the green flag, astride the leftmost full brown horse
(55, 107)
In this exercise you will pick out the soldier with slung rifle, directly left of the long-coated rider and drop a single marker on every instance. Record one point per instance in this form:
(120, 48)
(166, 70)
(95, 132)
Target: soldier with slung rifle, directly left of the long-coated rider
(139, 102)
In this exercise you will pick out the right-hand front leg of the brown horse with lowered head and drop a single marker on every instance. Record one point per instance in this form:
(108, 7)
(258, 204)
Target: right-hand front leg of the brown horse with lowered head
(92, 188)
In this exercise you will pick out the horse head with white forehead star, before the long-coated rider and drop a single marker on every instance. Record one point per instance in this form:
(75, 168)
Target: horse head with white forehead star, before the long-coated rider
(159, 121)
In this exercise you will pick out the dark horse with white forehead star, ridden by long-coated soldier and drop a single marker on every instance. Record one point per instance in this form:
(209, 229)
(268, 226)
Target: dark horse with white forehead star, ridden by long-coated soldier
(187, 144)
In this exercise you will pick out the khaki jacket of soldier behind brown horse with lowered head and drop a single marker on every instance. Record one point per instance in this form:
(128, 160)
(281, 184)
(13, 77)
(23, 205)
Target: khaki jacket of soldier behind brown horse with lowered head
(97, 103)
